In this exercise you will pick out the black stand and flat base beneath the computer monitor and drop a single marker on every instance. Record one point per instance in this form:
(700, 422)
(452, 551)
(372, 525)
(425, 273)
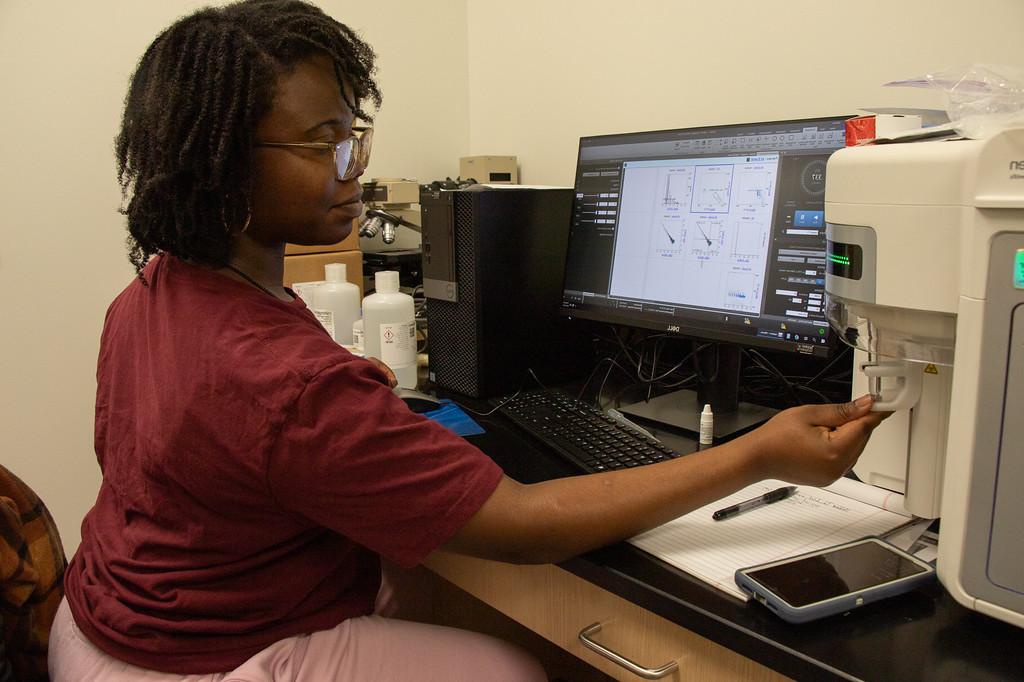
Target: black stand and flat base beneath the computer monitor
(682, 409)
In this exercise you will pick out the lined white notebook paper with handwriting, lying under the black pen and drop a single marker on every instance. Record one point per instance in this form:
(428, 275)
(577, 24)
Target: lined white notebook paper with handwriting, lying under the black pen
(813, 519)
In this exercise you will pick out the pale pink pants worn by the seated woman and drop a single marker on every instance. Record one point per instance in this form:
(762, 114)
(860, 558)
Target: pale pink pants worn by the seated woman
(368, 649)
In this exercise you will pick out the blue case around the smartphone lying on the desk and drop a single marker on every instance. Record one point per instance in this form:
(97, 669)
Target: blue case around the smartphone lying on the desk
(840, 604)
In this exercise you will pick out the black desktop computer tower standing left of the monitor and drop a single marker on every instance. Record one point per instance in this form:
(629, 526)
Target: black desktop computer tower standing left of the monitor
(493, 267)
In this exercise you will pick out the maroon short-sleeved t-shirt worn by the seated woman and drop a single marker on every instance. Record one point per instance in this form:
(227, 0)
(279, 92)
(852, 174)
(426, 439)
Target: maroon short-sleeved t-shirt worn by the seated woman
(254, 472)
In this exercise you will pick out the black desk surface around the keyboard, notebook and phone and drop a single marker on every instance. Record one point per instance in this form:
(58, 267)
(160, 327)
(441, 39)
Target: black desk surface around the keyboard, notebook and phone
(923, 635)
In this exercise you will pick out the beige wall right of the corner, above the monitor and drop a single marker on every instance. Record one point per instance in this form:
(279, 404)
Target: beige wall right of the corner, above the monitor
(542, 73)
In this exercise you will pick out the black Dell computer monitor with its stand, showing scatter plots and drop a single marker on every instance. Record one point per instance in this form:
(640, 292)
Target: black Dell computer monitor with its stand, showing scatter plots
(716, 234)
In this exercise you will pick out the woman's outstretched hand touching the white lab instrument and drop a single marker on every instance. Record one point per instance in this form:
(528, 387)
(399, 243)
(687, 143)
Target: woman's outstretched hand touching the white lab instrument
(815, 445)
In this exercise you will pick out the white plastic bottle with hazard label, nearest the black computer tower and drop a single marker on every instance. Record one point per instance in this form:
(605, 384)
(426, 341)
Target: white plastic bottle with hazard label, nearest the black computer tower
(390, 328)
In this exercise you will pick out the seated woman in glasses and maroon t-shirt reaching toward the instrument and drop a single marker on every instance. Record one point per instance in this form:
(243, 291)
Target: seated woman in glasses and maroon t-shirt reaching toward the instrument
(255, 473)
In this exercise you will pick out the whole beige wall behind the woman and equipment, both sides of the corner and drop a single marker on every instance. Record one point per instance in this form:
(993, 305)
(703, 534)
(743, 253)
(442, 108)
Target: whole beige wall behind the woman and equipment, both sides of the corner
(459, 76)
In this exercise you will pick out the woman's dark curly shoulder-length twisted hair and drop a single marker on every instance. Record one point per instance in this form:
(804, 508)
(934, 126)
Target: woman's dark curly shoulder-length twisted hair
(186, 147)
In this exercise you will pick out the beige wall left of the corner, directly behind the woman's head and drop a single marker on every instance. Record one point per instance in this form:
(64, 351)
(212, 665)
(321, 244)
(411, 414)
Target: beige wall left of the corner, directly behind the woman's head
(65, 68)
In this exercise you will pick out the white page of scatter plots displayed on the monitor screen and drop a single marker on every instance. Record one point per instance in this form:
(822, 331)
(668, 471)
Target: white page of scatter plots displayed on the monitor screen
(703, 227)
